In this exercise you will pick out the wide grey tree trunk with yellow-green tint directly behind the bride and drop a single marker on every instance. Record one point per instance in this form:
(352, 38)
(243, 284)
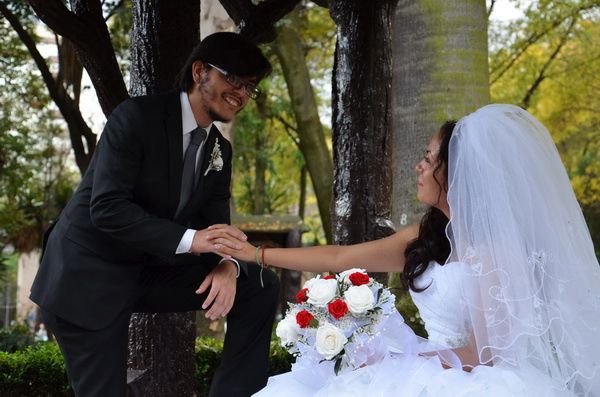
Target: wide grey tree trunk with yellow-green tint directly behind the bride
(440, 73)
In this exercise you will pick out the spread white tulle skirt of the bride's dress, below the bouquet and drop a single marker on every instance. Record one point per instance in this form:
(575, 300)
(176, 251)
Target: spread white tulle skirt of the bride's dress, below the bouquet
(410, 375)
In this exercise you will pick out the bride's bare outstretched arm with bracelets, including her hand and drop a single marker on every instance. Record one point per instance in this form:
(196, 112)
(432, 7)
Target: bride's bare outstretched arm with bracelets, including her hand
(384, 255)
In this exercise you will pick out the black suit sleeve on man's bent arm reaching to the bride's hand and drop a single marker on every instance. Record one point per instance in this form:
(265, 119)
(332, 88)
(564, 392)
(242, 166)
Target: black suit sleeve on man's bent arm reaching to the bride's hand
(112, 207)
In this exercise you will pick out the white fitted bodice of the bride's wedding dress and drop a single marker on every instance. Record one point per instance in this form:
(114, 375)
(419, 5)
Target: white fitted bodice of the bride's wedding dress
(442, 306)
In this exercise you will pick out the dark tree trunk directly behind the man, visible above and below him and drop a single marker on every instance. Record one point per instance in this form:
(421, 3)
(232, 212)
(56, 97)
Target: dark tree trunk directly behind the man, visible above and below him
(164, 33)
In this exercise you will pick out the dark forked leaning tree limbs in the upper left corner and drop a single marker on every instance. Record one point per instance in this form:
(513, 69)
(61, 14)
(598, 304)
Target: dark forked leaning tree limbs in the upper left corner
(64, 88)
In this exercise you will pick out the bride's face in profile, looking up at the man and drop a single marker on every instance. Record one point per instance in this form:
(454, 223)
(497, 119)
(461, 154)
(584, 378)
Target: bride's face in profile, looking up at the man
(431, 177)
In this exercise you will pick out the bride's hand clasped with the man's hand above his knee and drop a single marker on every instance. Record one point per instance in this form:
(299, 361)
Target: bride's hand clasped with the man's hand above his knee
(230, 241)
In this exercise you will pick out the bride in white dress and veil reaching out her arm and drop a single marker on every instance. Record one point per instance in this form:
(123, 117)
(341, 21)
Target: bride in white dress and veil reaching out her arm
(502, 269)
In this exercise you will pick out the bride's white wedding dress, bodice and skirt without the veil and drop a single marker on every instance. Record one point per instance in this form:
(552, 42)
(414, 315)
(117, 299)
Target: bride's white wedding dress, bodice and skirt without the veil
(404, 372)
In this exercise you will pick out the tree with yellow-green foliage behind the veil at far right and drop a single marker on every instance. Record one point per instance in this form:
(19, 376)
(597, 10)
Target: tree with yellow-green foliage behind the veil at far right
(548, 62)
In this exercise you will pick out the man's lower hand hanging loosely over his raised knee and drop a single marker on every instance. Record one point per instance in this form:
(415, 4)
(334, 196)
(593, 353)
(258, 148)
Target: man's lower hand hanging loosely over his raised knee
(222, 283)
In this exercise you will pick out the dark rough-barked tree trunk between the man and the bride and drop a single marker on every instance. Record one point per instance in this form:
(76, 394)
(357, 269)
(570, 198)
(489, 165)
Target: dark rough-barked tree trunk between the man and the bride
(362, 120)
